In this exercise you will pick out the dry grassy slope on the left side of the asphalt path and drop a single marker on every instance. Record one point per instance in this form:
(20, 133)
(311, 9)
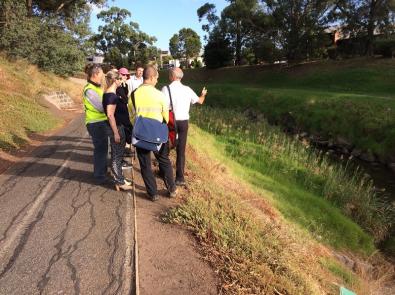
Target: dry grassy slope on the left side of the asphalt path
(21, 88)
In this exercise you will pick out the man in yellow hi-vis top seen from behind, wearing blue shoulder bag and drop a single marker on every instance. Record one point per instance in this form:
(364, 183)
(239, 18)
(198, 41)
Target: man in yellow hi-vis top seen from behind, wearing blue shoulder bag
(151, 103)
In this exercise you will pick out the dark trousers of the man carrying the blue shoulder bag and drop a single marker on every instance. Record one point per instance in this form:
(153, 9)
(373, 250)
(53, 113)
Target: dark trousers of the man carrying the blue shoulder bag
(162, 156)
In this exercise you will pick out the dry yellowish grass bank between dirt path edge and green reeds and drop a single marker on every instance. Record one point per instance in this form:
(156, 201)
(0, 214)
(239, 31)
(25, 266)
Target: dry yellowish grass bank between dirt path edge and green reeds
(253, 248)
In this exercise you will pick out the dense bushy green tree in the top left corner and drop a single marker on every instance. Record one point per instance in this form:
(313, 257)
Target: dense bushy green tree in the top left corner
(53, 42)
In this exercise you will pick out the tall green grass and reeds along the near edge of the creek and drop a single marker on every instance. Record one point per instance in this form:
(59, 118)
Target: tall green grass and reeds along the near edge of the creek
(270, 152)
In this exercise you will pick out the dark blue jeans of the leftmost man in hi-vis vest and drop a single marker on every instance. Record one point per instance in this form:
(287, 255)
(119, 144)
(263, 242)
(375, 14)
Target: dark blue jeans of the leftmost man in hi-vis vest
(98, 132)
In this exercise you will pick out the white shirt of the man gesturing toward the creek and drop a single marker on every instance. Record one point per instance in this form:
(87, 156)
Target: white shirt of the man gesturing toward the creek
(182, 97)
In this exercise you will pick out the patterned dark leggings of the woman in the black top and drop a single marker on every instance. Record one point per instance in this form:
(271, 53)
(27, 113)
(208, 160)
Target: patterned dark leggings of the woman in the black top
(117, 151)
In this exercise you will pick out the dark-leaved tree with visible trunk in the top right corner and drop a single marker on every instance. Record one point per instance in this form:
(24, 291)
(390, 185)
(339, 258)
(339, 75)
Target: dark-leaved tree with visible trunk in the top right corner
(363, 17)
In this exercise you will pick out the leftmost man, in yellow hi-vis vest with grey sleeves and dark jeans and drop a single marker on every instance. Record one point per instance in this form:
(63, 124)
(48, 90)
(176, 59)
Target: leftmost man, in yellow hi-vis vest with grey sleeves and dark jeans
(96, 121)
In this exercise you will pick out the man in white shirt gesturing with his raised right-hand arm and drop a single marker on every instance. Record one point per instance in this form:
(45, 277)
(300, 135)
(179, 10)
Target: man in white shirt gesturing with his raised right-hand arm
(182, 98)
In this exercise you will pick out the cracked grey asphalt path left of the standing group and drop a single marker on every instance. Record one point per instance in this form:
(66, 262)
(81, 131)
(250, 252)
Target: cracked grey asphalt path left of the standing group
(59, 233)
